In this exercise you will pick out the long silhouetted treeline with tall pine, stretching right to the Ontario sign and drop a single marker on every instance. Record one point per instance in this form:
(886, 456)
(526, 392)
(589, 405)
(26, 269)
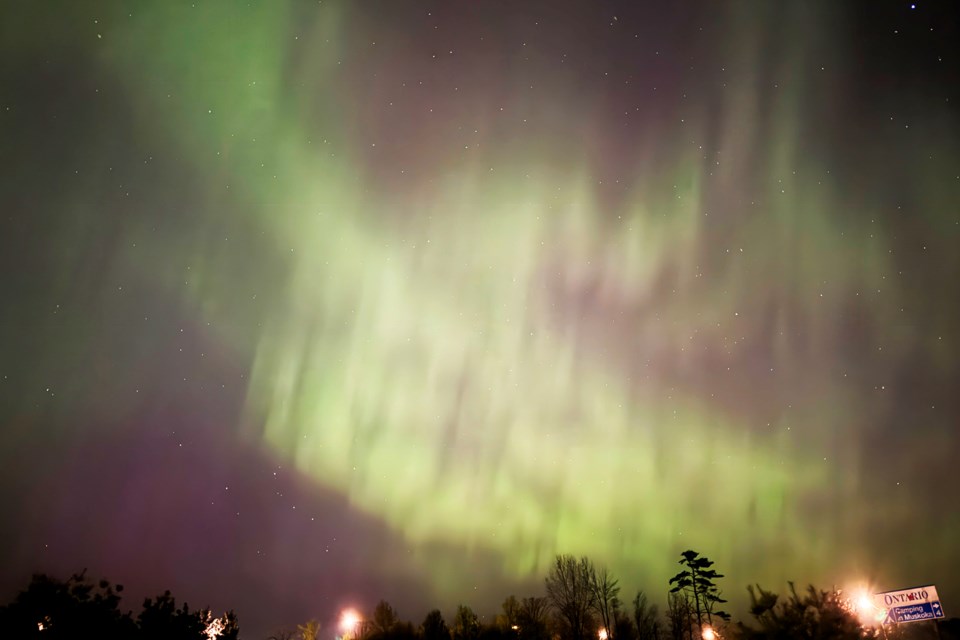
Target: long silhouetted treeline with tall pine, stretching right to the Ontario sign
(582, 602)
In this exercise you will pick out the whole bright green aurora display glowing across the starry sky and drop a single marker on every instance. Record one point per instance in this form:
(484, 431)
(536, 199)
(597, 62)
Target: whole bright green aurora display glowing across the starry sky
(485, 355)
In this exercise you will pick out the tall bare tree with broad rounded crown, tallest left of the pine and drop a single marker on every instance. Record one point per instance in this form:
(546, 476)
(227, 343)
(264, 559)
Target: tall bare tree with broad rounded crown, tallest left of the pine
(570, 593)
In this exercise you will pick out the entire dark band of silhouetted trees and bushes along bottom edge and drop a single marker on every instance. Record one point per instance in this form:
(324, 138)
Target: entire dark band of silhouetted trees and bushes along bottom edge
(581, 602)
